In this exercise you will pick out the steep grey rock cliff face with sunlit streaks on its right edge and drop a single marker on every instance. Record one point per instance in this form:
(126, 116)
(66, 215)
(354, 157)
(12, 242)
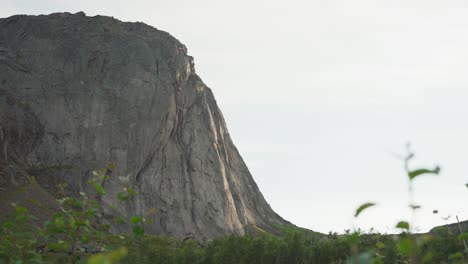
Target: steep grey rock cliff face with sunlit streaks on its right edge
(78, 92)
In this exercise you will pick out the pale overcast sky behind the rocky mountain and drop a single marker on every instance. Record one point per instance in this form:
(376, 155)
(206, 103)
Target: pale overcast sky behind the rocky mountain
(320, 96)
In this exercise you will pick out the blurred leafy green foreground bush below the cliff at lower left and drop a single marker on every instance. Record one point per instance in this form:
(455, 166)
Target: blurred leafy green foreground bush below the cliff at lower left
(75, 231)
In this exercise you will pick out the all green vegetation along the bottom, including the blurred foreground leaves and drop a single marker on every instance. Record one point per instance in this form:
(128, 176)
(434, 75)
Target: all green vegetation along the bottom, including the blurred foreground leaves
(77, 234)
